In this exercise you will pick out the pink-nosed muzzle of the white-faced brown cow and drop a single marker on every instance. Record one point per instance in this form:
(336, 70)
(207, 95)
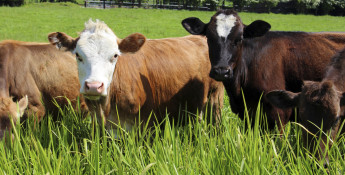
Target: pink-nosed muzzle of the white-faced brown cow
(93, 90)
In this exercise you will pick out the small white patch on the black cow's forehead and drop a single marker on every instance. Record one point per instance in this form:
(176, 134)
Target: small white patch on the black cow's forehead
(224, 24)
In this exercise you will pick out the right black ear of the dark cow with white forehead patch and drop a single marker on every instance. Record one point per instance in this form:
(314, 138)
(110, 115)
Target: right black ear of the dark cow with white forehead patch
(256, 29)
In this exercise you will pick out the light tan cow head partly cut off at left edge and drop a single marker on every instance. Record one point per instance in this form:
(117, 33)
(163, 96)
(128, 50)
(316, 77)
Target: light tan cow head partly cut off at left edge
(10, 110)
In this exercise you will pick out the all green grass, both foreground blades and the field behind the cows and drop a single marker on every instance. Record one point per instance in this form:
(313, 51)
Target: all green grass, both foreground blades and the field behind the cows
(76, 146)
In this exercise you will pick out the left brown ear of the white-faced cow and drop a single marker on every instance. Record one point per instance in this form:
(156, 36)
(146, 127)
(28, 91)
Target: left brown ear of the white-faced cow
(63, 41)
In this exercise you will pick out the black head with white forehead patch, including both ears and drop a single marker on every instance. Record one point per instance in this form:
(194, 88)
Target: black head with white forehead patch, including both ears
(225, 33)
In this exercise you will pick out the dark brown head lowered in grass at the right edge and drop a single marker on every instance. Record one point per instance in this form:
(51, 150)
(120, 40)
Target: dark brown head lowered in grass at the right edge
(320, 105)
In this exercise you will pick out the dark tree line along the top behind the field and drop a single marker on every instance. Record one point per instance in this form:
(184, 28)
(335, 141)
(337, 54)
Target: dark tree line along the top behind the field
(316, 7)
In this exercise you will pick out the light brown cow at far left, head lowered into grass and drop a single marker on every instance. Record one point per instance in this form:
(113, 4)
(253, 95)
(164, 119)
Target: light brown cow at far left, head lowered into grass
(39, 75)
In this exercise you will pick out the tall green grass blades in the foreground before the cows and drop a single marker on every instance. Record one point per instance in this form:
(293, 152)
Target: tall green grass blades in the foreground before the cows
(73, 145)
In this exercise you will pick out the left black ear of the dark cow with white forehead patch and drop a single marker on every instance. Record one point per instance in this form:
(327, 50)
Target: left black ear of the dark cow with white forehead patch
(194, 26)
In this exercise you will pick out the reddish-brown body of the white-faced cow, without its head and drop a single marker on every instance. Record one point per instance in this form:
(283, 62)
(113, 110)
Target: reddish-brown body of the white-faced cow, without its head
(164, 75)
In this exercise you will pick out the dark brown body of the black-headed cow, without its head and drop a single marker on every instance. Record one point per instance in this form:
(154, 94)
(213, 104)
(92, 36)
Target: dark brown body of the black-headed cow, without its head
(280, 60)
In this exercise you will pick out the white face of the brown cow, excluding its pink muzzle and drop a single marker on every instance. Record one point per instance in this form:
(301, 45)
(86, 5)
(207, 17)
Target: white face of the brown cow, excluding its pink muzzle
(96, 47)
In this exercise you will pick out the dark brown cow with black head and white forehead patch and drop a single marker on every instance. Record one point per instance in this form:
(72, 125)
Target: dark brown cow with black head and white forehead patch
(253, 60)
